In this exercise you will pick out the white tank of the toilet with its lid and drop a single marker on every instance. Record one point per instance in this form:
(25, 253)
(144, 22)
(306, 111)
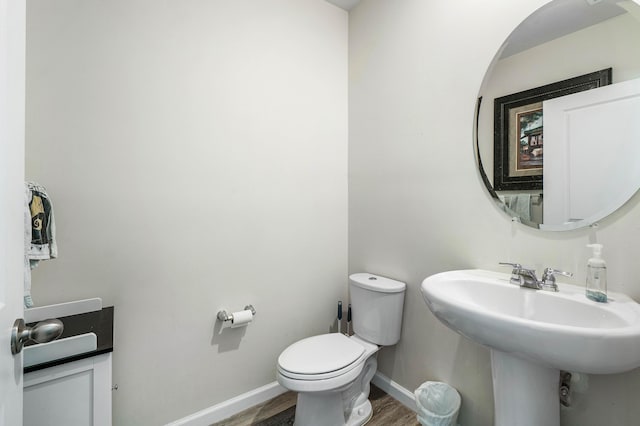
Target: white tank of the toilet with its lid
(376, 308)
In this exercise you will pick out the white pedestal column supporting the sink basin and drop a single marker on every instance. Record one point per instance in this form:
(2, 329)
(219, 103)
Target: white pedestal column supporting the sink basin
(524, 393)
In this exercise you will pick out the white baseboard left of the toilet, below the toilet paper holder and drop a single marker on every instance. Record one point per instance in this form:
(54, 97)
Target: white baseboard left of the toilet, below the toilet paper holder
(232, 406)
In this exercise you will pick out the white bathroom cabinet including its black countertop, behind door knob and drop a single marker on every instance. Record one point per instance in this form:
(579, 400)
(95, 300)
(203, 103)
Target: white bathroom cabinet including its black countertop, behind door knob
(72, 389)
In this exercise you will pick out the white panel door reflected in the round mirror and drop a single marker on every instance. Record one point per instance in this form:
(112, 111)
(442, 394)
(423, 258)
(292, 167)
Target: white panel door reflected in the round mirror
(587, 168)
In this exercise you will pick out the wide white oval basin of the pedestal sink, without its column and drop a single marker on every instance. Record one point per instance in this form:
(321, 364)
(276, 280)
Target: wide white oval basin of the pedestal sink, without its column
(563, 330)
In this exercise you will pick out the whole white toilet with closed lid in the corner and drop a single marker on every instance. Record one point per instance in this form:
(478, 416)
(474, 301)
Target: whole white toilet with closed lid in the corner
(332, 372)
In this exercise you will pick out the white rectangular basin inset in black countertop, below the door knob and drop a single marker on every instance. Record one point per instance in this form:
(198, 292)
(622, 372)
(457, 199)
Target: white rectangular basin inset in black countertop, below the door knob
(58, 349)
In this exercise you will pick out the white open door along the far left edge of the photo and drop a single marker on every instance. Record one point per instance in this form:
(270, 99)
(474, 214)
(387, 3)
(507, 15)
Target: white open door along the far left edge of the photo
(12, 103)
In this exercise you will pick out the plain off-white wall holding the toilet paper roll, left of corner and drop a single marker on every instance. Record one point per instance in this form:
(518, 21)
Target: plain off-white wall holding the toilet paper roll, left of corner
(196, 155)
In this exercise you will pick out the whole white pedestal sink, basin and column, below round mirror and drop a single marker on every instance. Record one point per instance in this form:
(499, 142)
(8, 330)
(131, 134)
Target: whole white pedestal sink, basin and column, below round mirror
(533, 334)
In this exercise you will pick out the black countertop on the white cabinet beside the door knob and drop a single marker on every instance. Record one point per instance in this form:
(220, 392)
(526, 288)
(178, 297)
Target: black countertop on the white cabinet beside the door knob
(98, 322)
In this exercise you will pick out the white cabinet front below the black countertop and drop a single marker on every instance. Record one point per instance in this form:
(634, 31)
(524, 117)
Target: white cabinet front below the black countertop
(77, 393)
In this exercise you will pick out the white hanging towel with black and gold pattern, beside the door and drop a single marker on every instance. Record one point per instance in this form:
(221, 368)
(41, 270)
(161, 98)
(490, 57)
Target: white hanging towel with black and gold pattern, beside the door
(40, 233)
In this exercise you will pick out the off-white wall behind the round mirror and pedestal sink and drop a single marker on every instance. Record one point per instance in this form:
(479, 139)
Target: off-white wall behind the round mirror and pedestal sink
(417, 205)
